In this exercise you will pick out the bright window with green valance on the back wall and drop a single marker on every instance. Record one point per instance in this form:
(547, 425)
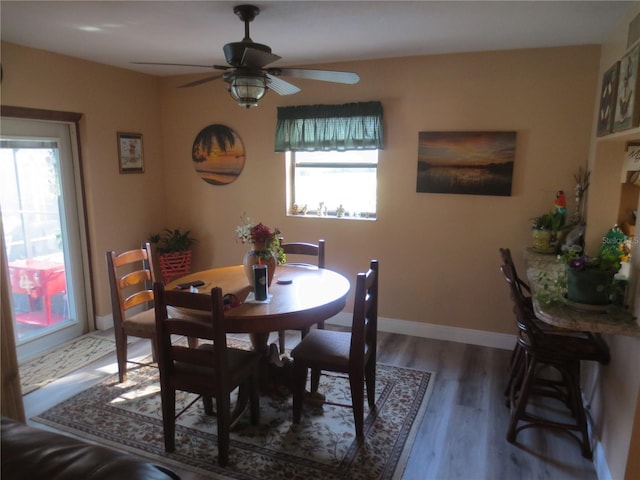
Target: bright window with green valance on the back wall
(332, 155)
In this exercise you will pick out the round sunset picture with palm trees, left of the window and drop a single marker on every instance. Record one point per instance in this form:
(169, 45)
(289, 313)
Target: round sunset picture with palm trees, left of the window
(218, 154)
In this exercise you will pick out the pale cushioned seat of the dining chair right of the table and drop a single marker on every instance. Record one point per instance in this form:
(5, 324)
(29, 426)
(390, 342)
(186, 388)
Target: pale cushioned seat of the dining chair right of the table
(325, 347)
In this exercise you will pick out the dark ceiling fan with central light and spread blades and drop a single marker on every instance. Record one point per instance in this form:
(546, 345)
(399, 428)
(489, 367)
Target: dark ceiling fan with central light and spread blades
(246, 74)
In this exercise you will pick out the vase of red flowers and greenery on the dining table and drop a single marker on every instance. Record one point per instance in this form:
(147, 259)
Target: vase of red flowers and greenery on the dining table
(266, 249)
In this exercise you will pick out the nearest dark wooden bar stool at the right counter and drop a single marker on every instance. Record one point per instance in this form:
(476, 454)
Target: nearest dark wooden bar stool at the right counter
(539, 352)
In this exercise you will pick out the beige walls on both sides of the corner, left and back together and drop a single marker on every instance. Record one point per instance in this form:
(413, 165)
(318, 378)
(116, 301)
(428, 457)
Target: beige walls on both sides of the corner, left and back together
(545, 95)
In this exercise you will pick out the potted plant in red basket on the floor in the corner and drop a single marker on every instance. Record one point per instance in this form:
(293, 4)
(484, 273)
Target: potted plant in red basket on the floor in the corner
(174, 252)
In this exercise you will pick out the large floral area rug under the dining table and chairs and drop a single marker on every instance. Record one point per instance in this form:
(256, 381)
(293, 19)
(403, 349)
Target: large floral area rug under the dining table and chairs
(128, 416)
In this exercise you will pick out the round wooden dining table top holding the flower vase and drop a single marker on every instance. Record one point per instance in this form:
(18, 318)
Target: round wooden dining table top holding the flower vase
(314, 294)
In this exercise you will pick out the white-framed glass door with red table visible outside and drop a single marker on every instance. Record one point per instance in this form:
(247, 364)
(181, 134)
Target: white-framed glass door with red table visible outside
(41, 225)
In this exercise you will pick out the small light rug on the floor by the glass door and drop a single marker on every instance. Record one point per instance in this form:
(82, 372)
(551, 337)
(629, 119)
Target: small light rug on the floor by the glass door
(57, 363)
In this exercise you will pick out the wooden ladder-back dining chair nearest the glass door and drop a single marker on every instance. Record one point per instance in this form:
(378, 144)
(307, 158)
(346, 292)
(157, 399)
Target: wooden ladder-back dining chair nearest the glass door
(131, 276)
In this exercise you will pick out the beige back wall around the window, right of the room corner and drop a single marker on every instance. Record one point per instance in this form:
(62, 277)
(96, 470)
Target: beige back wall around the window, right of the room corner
(438, 253)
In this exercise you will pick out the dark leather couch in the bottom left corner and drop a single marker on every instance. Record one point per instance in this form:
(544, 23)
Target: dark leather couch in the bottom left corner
(33, 453)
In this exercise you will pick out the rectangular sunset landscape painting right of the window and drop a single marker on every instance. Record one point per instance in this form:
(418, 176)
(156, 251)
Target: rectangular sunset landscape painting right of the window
(471, 163)
